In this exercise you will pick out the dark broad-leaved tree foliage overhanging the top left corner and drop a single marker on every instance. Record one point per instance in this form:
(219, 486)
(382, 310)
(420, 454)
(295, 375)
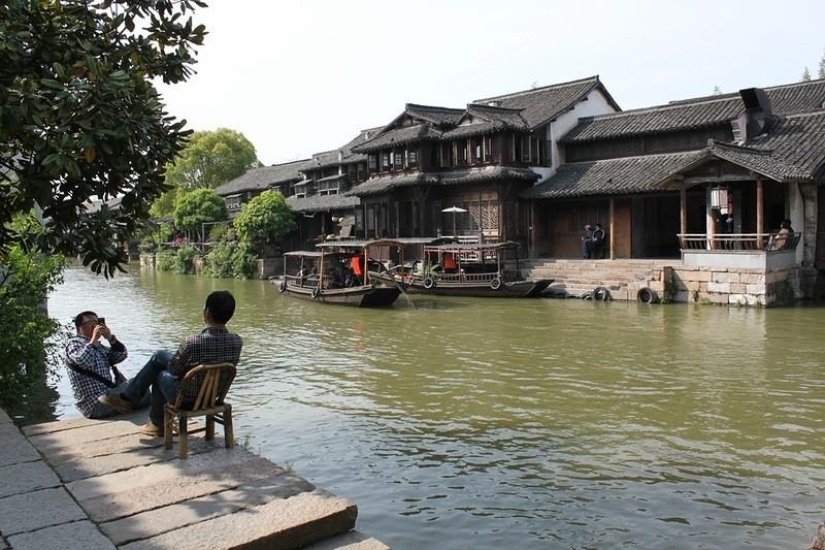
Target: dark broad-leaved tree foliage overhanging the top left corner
(80, 118)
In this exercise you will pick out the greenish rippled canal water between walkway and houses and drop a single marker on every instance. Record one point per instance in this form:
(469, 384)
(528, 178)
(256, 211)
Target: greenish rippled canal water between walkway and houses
(530, 424)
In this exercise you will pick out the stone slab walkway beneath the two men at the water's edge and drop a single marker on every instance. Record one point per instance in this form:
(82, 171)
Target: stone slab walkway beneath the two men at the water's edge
(96, 484)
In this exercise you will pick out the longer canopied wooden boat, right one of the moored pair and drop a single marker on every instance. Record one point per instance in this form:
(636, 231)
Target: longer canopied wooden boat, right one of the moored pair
(456, 269)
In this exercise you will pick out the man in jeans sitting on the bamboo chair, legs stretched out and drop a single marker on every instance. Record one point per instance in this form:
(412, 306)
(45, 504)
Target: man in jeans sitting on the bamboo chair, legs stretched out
(163, 371)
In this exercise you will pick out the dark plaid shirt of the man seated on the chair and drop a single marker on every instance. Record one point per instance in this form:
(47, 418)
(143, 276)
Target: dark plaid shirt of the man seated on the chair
(212, 345)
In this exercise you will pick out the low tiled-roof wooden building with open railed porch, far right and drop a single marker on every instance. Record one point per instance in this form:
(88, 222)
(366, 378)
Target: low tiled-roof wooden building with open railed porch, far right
(728, 164)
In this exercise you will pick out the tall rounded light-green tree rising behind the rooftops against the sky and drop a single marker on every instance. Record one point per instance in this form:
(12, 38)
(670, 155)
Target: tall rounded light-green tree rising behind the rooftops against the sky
(211, 159)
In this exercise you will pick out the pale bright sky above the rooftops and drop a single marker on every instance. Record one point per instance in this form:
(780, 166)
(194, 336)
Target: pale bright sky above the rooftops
(298, 78)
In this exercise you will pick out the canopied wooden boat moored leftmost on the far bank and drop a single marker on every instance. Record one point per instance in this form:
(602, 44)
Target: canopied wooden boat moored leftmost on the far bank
(321, 276)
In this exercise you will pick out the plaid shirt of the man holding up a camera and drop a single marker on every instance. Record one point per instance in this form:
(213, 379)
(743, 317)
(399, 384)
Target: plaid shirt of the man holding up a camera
(98, 359)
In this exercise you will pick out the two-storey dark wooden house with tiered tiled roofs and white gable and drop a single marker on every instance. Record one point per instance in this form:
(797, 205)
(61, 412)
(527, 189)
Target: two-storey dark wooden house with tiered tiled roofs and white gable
(477, 159)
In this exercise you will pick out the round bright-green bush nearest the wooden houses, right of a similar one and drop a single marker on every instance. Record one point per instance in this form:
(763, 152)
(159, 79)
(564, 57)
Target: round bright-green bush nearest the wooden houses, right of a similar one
(265, 218)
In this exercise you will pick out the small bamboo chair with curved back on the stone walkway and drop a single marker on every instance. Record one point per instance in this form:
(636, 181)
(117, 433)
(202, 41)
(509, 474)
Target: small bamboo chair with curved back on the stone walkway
(209, 403)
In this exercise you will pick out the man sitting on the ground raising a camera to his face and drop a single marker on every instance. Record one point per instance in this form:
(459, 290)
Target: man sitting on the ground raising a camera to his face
(91, 364)
